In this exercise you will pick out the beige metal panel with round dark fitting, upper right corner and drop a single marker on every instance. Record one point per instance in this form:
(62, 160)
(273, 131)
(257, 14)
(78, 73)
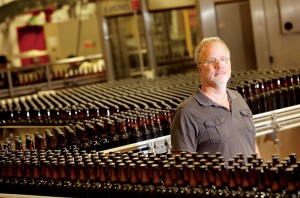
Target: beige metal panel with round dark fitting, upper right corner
(276, 32)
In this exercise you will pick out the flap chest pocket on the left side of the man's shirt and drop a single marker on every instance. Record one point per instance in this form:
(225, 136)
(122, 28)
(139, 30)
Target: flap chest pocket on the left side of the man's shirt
(216, 130)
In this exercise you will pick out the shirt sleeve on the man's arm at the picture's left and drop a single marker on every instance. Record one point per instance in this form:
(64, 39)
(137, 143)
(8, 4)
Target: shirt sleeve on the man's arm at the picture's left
(183, 131)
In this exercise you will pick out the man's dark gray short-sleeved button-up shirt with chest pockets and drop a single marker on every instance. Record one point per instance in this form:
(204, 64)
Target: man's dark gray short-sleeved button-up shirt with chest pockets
(201, 125)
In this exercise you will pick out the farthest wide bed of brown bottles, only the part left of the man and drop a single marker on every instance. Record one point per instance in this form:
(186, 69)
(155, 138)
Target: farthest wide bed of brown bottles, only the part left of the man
(68, 104)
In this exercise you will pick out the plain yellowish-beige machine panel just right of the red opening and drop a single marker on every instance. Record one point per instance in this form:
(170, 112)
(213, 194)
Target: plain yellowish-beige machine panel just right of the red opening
(71, 38)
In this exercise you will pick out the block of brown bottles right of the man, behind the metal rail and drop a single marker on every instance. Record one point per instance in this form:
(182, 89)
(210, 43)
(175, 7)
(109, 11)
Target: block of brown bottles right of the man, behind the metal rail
(265, 92)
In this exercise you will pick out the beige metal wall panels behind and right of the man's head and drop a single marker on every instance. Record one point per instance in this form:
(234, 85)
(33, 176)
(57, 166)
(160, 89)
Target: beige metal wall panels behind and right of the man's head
(257, 26)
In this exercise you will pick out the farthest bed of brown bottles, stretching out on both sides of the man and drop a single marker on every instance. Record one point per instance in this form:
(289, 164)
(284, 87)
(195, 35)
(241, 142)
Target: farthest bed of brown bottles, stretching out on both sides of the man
(262, 91)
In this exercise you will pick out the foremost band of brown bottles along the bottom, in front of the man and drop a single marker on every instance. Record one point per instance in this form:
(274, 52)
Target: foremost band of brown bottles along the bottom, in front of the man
(89, 174)
